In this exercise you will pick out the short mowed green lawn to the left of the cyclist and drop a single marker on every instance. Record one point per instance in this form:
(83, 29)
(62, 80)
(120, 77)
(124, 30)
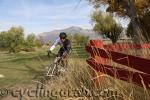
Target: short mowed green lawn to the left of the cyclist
(23, 67)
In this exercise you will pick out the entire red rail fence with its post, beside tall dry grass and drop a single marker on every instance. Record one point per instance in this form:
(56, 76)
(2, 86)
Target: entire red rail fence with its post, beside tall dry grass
(101, 57)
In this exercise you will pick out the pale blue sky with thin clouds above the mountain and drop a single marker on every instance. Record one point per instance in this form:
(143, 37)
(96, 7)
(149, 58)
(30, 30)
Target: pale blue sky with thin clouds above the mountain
(37, 16)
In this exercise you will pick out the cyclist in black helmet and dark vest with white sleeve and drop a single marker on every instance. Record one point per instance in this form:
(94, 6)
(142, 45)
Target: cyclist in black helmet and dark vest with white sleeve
(65, 47)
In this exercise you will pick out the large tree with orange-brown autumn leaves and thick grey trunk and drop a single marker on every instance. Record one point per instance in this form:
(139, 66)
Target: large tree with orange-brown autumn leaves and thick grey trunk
(130, 8)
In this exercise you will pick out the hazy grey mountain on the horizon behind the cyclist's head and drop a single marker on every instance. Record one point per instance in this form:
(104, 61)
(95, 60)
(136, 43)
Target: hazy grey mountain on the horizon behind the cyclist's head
(52, 35)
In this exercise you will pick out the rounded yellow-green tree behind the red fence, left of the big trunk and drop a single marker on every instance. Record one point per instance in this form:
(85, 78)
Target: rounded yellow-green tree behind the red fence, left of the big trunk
(106, 25)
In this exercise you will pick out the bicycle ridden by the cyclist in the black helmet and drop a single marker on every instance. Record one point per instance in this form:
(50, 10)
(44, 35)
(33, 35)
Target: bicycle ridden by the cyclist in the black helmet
(56, 67)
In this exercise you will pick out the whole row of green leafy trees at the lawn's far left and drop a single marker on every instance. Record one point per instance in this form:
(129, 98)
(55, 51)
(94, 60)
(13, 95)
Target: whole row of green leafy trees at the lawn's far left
(14, 40)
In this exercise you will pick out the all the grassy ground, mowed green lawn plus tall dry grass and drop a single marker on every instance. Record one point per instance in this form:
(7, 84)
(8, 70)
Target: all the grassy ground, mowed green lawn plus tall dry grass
(24, 69)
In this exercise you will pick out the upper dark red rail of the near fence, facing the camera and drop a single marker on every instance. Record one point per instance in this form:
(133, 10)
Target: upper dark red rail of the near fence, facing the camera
(138, 63)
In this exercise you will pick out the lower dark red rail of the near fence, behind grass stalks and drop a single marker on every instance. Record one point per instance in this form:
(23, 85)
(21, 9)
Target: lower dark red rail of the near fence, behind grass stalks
(121, 74)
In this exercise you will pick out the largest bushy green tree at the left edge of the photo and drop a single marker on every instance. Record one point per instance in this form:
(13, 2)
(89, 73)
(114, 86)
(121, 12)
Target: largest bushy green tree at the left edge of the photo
(12, 39)
